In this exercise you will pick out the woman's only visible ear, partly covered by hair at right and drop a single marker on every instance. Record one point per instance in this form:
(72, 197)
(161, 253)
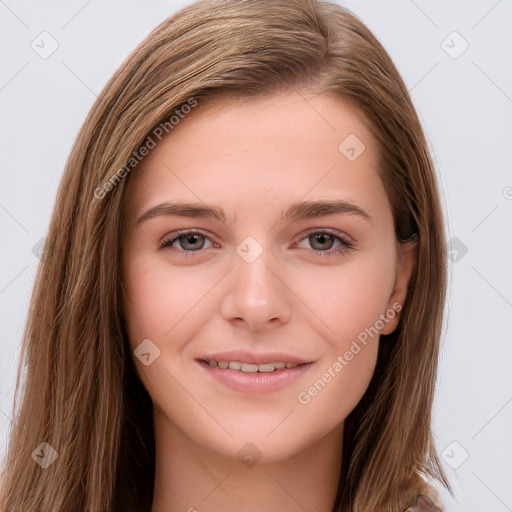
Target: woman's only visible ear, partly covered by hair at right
(406, 261)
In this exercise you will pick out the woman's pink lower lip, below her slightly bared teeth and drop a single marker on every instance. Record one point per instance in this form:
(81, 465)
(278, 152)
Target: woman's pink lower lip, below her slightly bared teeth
(256, 382)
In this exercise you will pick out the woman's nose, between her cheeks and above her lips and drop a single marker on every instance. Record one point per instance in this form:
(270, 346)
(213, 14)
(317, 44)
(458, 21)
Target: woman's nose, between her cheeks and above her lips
(257, 294)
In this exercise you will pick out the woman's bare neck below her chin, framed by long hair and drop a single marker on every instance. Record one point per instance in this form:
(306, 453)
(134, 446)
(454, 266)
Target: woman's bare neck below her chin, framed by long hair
(192, 478)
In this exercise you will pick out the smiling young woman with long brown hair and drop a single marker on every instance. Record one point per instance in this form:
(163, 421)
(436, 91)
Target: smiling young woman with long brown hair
(240, 301)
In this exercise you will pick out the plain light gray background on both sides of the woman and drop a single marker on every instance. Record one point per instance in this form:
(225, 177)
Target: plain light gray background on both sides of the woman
(465, 102)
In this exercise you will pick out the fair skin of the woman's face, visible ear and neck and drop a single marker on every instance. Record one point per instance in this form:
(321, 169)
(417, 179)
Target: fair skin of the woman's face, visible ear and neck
(306, 297)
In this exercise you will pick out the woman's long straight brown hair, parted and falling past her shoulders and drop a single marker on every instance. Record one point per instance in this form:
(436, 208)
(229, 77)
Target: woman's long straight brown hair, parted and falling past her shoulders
(82, 395)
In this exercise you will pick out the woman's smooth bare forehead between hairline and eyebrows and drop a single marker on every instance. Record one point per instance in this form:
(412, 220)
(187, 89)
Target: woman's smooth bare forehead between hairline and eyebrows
(263, 152)
